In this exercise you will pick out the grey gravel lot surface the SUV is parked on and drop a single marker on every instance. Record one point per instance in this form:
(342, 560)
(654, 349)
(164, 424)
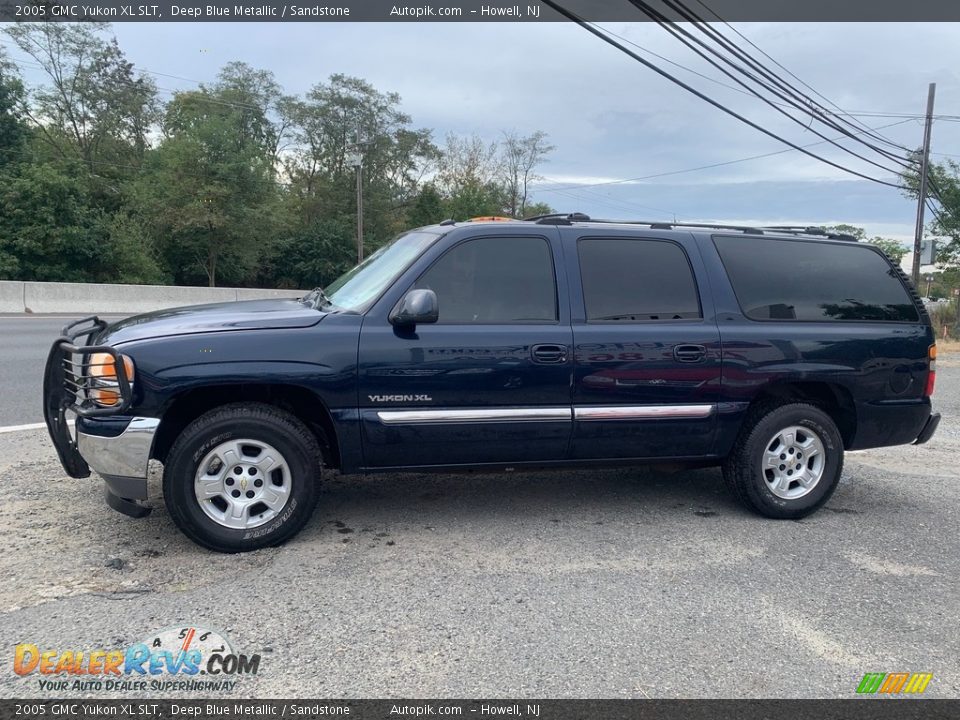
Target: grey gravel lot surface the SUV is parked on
(613, 583)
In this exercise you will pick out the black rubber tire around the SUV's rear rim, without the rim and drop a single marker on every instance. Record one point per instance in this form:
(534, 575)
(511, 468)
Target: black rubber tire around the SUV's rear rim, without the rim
(743, 471)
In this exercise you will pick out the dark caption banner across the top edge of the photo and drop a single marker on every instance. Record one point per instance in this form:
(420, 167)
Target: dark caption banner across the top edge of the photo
(474, 10)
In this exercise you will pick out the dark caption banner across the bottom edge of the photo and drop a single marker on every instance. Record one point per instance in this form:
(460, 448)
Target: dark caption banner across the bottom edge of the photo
(855, 709)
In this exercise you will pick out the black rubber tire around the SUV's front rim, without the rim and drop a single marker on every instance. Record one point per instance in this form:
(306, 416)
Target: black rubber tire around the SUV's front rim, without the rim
(255, 421)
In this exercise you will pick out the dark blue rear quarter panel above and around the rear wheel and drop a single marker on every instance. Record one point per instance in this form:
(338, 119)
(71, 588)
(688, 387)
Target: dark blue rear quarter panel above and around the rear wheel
(882, 366)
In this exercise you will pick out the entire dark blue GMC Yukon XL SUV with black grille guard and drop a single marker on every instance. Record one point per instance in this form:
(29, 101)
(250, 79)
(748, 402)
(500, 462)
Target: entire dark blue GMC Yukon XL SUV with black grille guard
(554, 342)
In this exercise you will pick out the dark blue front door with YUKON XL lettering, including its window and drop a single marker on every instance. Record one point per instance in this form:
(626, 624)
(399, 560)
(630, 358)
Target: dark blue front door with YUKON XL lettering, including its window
(490, 381)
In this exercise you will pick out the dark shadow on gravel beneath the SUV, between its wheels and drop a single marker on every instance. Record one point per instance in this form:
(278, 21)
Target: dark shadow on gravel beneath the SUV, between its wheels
(533, 498)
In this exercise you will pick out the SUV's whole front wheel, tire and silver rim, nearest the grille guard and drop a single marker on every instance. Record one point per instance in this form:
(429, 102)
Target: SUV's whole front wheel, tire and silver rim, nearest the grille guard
(242, 477)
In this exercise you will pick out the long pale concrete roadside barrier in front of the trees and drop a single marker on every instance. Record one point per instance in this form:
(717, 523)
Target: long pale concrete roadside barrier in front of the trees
(89, 298)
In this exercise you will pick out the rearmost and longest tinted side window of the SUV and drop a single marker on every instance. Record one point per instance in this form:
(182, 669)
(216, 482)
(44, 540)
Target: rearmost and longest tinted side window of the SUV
(804, 280)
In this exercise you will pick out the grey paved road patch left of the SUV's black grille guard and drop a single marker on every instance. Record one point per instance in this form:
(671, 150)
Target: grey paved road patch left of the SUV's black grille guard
(24, 343)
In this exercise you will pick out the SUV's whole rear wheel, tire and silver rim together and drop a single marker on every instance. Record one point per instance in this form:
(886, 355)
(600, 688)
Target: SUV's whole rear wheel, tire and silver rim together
(786, 462)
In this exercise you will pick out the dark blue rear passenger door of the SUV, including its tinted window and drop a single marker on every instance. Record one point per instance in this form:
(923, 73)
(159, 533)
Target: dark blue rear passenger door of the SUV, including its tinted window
(647, 348)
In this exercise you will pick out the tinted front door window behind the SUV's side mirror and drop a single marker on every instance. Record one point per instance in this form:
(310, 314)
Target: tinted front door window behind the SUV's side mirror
(494, 280)
